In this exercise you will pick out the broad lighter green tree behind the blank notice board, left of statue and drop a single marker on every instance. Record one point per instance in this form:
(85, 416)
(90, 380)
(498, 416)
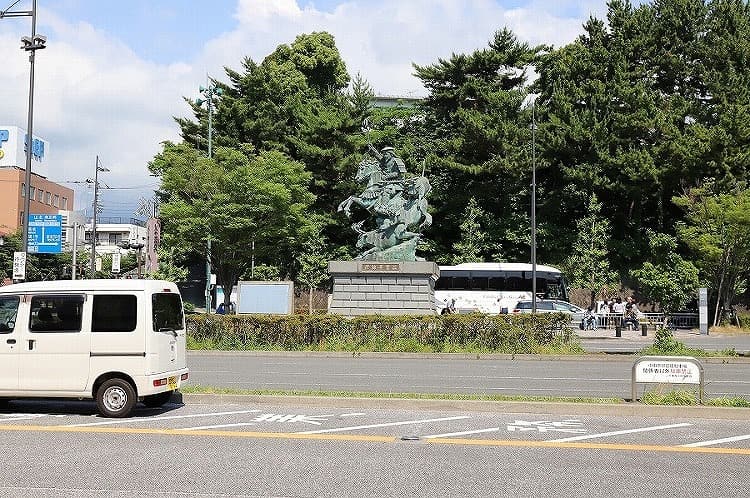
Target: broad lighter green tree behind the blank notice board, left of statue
(237, 197)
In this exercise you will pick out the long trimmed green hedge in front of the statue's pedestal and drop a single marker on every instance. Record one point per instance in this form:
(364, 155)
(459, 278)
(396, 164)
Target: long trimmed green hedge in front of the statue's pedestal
(446, 333)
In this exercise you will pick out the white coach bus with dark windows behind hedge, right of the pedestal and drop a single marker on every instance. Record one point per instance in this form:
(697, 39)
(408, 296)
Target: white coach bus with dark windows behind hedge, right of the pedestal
(496, 287)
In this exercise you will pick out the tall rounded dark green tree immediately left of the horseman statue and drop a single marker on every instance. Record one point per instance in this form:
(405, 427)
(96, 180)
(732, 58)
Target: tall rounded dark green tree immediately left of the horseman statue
(295, 102)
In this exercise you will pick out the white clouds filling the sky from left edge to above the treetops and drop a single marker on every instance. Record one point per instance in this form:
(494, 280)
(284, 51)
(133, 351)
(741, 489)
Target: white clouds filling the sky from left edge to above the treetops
(94, 95)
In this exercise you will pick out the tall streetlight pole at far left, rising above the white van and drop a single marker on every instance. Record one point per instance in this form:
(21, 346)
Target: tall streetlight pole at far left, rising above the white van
(30, 44)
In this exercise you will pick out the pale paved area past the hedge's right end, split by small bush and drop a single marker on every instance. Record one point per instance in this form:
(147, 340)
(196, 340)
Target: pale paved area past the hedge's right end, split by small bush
(604, 340)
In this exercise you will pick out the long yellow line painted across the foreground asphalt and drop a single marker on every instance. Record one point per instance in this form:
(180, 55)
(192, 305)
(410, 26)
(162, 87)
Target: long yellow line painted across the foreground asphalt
(373, 439)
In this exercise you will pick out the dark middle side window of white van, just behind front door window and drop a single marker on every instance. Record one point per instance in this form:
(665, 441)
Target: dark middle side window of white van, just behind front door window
(56, 313)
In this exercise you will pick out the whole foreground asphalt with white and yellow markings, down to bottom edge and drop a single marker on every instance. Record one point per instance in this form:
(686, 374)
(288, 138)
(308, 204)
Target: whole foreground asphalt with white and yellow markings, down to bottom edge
(56, 449)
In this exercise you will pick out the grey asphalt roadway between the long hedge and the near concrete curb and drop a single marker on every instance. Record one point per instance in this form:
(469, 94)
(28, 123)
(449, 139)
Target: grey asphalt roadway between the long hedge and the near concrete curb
(590, 376)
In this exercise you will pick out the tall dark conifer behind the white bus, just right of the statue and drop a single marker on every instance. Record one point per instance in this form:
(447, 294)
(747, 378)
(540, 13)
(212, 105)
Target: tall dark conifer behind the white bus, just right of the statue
(478, 142)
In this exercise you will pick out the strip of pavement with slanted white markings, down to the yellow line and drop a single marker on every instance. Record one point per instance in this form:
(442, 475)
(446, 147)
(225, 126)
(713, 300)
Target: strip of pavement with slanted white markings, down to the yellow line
(258, 420)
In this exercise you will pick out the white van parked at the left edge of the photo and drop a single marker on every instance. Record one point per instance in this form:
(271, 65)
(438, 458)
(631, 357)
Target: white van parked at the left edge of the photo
(116, 341)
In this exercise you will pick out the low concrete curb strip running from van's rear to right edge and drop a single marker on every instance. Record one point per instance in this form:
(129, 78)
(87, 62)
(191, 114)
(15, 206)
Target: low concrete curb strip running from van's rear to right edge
(615, 410)
